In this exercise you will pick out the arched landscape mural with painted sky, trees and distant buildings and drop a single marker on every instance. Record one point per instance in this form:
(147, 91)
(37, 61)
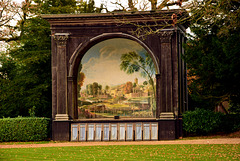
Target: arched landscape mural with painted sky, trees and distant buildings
(116, 78)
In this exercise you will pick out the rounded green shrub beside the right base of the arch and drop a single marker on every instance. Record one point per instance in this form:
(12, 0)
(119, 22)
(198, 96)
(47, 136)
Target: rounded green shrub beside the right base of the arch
(201, 121)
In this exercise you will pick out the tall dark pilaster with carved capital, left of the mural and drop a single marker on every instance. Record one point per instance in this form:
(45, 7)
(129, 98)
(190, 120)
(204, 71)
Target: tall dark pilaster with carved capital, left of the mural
(62, 110)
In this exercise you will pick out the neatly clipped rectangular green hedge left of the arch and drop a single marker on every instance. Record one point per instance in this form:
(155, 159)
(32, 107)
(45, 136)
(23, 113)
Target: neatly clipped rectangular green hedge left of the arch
(24, 129)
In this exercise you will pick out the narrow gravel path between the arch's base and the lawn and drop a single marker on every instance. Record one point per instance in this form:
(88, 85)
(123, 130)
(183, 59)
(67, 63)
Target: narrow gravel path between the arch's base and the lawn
(198, 141)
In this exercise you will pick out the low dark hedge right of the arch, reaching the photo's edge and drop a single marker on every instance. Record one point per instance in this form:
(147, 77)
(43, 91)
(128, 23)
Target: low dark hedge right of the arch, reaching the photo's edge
(203, 122)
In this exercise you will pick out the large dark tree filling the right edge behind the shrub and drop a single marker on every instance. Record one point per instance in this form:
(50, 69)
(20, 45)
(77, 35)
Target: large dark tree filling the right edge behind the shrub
(212, 55)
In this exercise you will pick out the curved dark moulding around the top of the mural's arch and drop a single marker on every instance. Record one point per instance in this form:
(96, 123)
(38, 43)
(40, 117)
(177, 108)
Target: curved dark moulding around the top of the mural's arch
(84, 47)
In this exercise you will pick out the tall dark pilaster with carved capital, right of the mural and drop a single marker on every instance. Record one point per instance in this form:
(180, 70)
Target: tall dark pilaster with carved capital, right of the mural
(166, 79)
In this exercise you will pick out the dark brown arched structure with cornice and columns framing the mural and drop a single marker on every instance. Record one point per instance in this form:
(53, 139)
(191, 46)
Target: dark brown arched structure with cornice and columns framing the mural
(73, 35)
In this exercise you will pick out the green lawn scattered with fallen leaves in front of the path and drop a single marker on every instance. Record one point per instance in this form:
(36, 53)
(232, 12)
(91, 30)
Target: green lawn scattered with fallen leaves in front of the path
(130, 152)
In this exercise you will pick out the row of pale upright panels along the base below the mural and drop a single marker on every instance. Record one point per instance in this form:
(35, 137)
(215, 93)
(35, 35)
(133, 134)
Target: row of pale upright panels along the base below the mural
(114, 131)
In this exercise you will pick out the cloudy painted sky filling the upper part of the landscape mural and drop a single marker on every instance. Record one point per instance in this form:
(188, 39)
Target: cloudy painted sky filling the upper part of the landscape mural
(102, 62)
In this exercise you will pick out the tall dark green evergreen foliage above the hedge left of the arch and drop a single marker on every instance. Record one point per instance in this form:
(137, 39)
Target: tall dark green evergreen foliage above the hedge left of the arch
(25, 72)
